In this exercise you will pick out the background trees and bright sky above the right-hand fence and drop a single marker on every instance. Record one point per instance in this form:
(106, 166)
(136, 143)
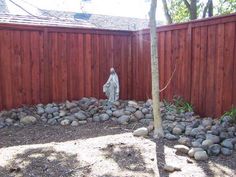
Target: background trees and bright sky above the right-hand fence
(184, 10)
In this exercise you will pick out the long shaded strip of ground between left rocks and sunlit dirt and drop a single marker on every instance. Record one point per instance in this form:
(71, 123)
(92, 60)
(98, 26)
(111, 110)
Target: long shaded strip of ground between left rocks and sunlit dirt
(14, 136)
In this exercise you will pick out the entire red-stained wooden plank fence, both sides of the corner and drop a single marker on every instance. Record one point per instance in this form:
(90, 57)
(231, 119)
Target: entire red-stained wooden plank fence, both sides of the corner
(46, 64)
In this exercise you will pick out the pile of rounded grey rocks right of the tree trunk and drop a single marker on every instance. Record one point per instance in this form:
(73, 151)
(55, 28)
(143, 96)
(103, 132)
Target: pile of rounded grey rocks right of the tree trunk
(199, 138)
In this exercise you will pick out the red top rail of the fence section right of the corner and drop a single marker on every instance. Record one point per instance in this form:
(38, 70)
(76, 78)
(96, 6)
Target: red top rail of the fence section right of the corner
(193, 23)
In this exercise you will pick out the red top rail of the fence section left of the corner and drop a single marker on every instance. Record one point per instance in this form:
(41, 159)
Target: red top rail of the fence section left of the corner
(64, 29)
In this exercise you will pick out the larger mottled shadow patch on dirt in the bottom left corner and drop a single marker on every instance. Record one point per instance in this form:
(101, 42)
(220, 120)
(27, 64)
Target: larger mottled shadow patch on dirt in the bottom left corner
(45, 162)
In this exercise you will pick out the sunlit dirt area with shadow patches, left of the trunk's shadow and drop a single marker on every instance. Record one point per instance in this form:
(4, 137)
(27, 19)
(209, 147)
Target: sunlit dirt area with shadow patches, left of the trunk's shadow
(120, 154)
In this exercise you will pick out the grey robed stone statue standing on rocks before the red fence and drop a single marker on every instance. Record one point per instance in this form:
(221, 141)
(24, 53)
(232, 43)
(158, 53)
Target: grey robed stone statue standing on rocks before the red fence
(111, 87)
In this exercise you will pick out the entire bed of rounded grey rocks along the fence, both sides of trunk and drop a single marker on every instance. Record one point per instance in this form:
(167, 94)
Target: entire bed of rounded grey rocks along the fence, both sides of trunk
(199, 138)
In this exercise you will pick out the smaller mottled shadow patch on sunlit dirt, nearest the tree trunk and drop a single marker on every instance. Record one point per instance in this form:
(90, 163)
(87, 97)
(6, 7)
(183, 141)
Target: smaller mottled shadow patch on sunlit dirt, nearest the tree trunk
(127, 157)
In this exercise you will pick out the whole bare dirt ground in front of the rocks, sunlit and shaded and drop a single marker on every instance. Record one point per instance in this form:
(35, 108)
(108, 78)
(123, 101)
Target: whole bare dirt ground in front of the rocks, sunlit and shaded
(97, 150)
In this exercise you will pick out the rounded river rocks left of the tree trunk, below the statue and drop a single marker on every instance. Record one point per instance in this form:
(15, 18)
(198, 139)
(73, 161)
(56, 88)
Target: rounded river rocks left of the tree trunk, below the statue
(79, 112)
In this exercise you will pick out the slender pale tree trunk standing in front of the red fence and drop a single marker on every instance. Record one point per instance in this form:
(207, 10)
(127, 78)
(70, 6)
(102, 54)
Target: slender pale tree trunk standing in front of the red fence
(158, 131)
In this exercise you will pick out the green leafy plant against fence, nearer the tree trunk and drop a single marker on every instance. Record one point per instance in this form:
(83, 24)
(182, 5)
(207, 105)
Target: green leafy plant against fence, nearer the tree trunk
(182, 105)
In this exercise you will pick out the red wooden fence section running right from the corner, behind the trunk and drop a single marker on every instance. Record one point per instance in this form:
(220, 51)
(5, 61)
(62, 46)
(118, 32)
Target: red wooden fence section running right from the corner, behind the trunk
(200, 54)
